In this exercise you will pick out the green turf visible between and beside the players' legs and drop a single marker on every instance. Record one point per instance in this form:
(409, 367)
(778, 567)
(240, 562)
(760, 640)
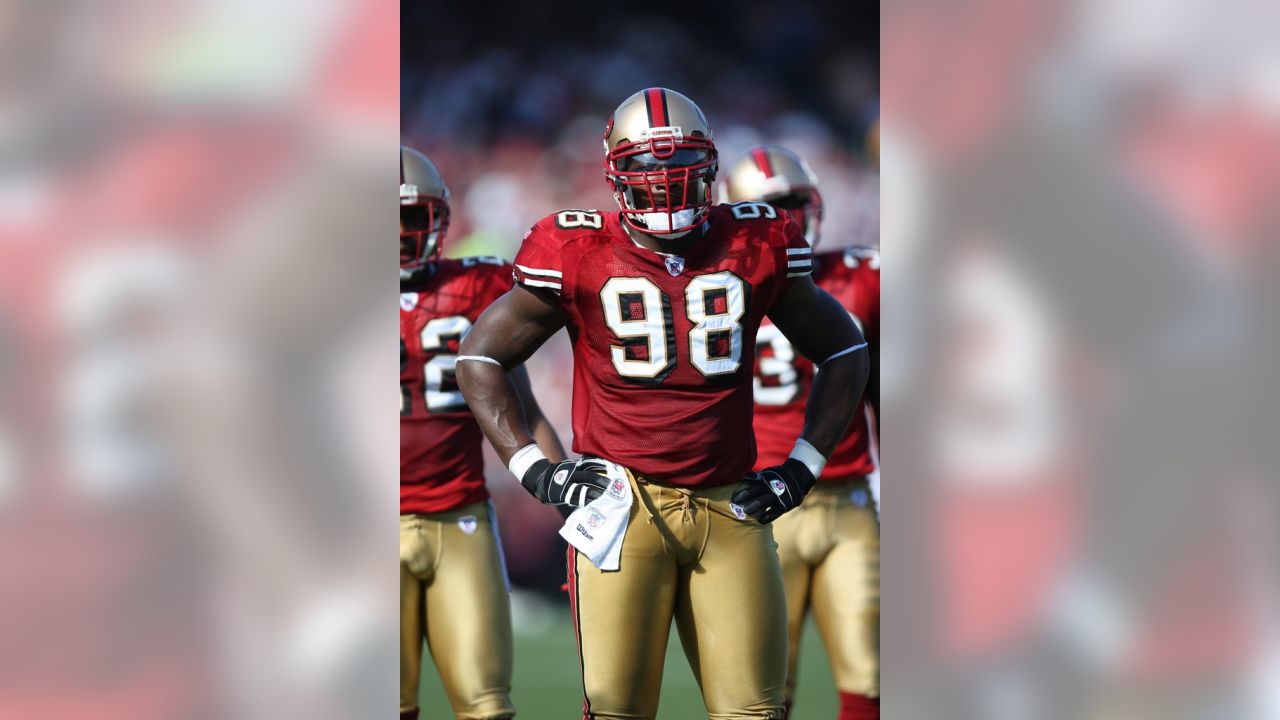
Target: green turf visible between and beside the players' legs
(547, 685)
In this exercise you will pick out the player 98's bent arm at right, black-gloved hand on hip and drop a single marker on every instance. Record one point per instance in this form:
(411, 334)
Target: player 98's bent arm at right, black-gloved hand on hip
(821, 330)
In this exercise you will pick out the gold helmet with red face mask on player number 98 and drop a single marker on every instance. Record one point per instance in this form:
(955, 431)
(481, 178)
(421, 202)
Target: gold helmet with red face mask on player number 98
(661, 162)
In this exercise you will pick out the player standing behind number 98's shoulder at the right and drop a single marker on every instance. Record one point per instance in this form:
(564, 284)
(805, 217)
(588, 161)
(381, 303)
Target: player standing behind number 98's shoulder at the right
(830, 548)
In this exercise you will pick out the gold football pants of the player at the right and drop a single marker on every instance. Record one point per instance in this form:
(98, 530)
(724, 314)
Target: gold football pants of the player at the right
(830, 552)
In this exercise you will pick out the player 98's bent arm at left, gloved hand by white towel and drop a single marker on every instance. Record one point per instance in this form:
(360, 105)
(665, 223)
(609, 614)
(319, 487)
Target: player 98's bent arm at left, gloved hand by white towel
(505, 336)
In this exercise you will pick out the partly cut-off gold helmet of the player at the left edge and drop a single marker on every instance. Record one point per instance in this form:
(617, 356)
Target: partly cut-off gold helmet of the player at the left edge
(424, 211)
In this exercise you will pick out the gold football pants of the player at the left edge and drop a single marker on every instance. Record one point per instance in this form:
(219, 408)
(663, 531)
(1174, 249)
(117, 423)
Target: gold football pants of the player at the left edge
(454, 596)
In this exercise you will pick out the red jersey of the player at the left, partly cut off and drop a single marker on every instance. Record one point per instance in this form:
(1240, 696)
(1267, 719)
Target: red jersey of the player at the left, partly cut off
(441, 462)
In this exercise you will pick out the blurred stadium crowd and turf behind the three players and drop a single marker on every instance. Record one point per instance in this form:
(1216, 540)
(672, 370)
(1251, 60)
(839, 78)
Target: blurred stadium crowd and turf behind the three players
(513, 107)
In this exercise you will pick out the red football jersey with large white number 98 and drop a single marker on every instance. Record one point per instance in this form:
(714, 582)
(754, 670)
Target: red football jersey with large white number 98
(664, 344)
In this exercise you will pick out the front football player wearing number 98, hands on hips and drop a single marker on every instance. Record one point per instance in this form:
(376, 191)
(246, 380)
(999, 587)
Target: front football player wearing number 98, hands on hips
(662, 302)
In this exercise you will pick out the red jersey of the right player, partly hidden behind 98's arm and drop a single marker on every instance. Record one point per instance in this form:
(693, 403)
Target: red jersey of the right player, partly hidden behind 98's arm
(783, 377)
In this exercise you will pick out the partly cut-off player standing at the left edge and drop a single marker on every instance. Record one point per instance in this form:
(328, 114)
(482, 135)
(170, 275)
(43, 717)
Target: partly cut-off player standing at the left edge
(454, 586)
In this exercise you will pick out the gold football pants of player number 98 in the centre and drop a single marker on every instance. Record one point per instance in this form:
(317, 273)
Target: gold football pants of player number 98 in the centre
(685, 558)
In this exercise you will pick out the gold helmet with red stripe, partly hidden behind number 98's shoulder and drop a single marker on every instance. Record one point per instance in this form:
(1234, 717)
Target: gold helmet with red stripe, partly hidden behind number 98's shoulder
(778, 176)
